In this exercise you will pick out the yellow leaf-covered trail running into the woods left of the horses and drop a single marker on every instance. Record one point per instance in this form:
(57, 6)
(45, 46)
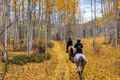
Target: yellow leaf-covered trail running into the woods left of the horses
(64, 70)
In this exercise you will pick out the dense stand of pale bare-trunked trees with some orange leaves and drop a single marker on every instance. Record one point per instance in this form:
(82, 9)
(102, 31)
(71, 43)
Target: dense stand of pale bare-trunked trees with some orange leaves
(27, 20)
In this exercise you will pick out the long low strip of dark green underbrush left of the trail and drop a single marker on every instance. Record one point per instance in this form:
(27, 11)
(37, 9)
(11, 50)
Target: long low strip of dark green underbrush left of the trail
(23, 59)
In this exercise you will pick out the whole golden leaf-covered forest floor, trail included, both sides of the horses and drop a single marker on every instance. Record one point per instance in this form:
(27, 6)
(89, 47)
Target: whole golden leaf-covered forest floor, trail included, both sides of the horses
(102, 65)
